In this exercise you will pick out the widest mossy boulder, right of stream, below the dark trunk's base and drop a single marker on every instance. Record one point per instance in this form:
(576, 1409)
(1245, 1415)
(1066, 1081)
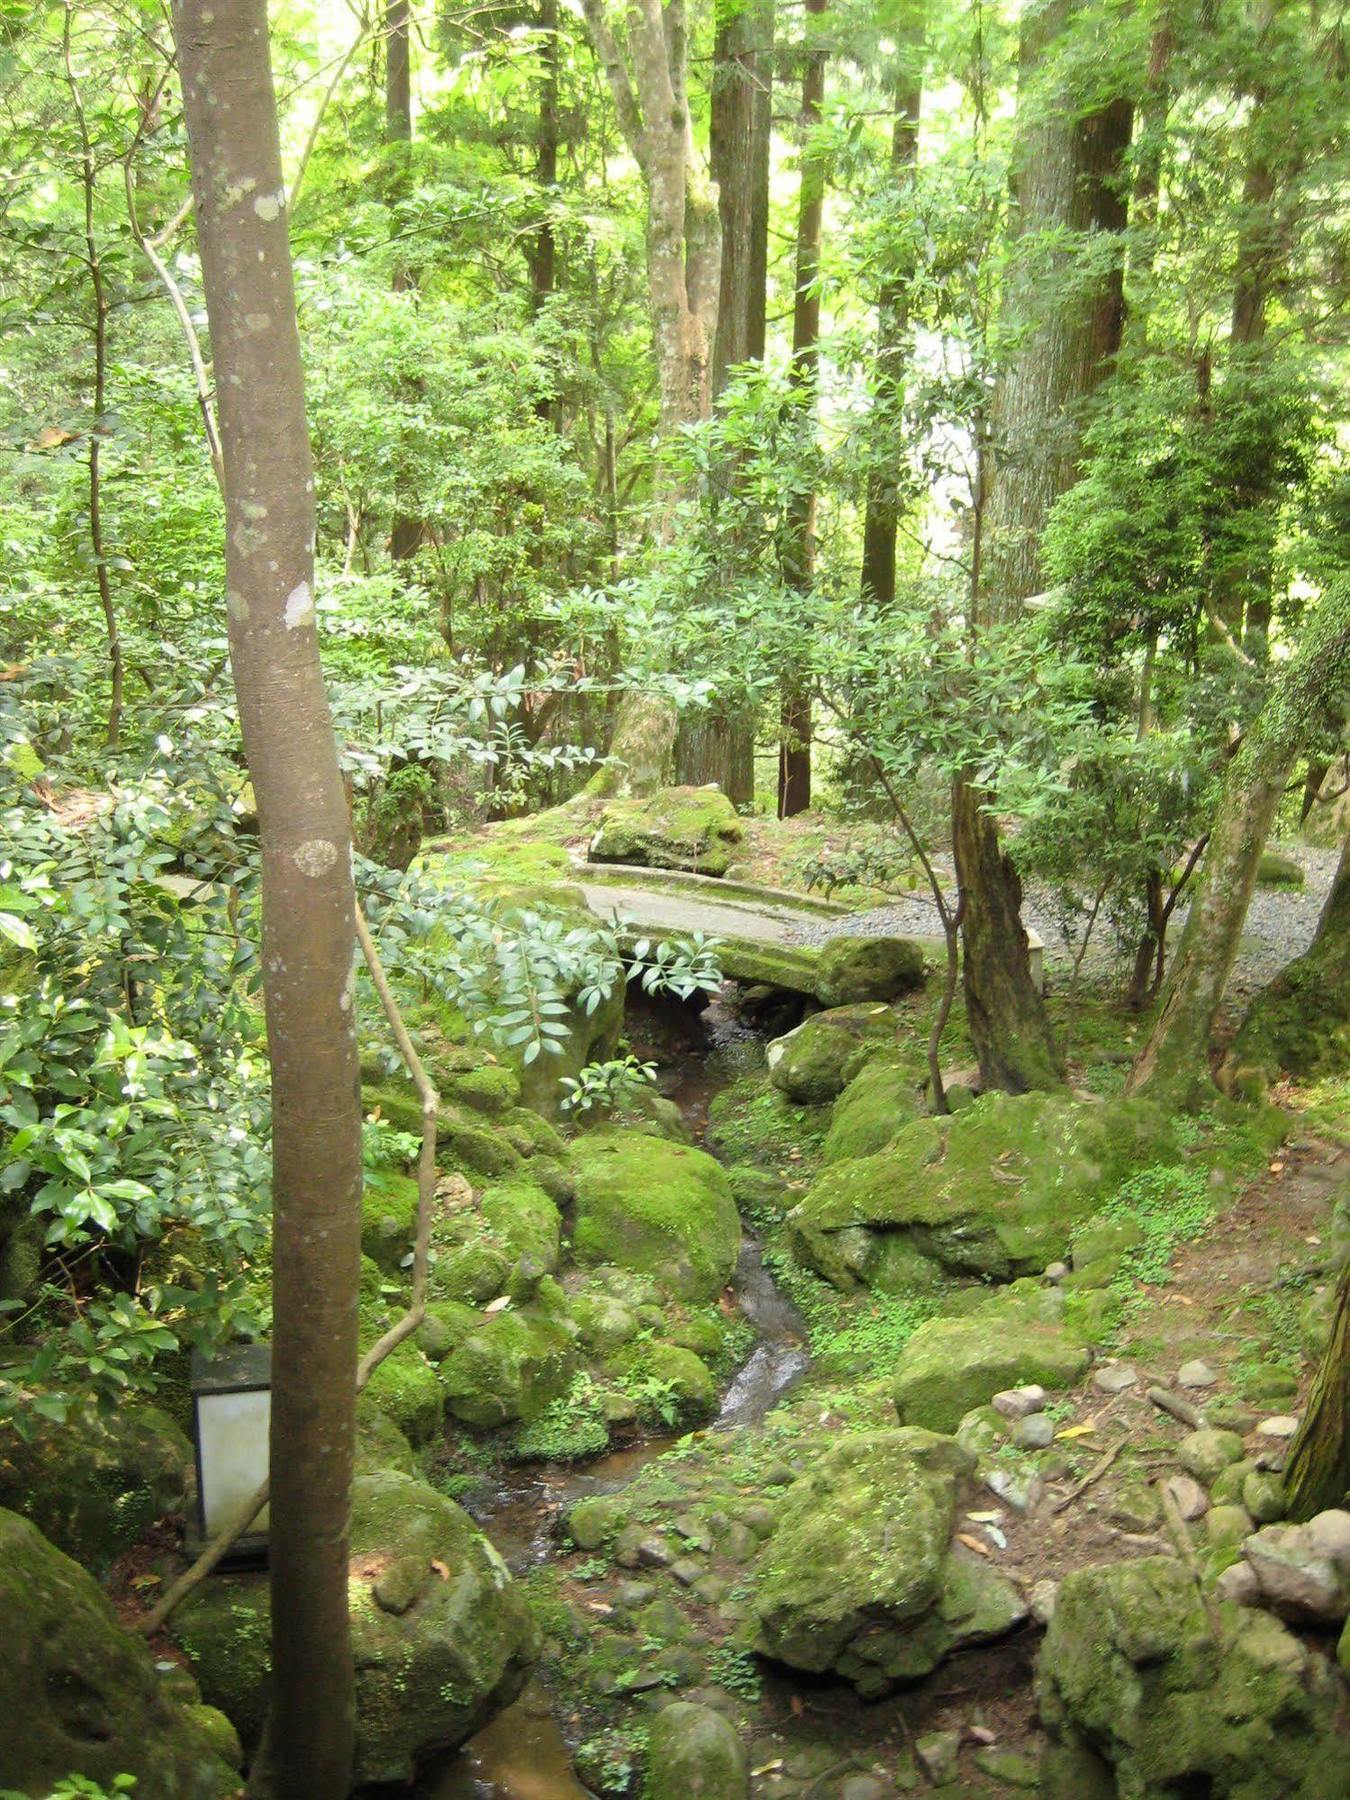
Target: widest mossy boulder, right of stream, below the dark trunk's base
(994, 1191)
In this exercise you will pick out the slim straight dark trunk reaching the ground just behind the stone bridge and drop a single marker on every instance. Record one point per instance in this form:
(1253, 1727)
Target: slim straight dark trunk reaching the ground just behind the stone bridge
(795, 757)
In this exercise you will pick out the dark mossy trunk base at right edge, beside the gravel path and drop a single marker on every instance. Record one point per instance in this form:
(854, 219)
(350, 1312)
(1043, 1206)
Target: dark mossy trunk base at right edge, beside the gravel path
(1300, 1023)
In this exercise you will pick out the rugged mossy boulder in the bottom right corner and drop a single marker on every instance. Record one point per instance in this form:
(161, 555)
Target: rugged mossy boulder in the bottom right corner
(1138, 1691)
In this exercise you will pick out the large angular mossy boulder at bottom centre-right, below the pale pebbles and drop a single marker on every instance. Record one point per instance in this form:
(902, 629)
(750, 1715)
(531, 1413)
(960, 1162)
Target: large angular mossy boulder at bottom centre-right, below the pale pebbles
(861, 1578)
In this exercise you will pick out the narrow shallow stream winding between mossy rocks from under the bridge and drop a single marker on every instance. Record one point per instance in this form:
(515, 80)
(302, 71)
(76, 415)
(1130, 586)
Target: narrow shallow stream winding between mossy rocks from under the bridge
(523, 1756)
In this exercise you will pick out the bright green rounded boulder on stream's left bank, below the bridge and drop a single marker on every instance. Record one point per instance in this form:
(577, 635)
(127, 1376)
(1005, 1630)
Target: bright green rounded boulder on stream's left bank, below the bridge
(656, 1209)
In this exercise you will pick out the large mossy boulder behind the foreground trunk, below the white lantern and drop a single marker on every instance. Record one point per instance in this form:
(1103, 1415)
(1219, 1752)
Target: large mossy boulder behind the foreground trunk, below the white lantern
(442, 1639)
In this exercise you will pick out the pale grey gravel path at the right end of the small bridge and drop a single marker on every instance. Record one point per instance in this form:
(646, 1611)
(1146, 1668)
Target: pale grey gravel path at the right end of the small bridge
(1281, 924)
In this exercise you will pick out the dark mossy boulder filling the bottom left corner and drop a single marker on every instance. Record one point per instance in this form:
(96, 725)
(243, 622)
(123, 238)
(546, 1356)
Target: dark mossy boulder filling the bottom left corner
(82, 1696)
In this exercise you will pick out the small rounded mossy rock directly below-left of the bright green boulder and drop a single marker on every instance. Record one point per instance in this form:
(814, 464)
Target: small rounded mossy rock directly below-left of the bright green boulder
(512, 1367)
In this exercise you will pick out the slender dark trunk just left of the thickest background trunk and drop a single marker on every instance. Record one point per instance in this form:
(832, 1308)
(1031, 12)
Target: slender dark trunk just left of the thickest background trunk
(883, 514)
